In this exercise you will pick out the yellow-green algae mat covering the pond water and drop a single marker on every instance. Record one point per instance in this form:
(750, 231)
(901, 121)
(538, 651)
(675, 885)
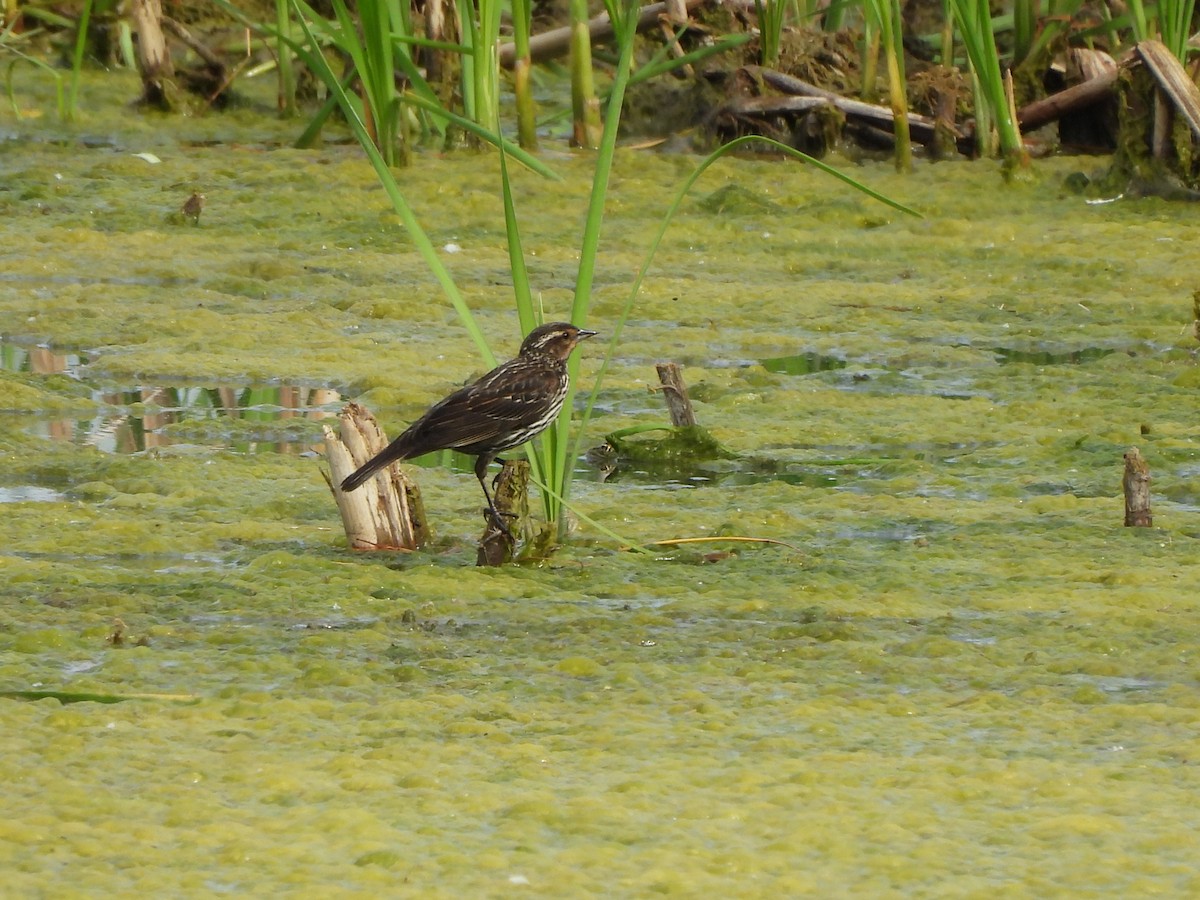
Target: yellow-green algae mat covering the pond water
(963, 676)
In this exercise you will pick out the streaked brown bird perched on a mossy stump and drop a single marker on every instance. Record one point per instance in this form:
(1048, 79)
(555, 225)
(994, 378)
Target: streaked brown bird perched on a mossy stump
(509, 406)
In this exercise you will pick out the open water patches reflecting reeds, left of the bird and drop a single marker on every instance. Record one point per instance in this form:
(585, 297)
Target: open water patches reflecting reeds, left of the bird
(142, 418)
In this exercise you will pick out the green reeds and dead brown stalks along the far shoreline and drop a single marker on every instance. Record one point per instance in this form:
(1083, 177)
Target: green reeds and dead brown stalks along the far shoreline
(964, 80)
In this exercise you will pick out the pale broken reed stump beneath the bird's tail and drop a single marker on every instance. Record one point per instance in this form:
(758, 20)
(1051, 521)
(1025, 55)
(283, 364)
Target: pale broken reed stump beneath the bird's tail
(387, 512)
